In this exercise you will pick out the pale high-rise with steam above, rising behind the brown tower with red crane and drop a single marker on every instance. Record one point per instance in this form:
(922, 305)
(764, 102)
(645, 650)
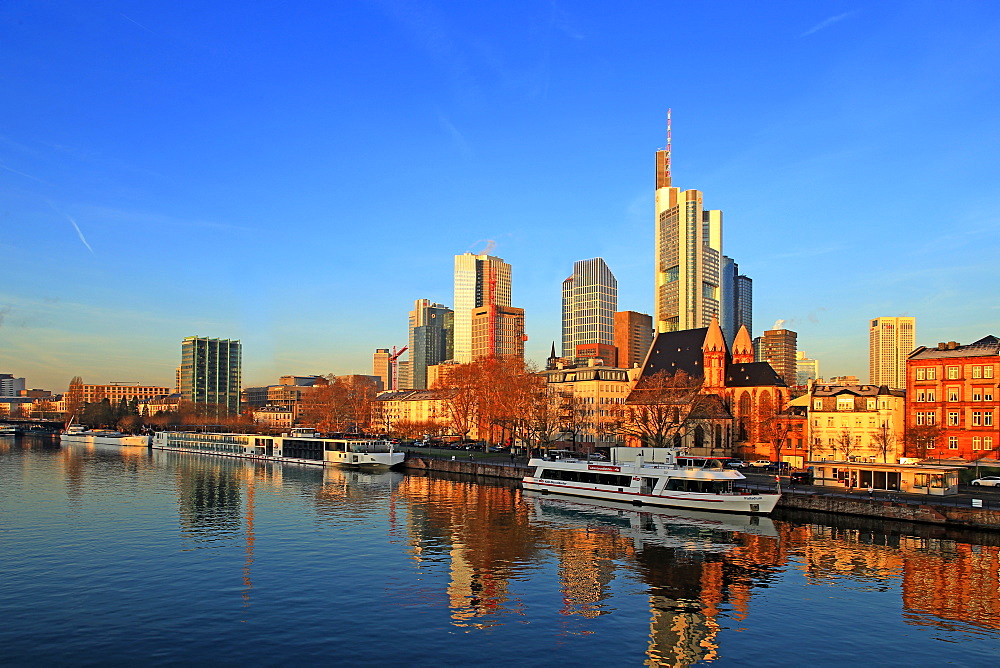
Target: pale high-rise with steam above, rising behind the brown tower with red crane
(480, 280)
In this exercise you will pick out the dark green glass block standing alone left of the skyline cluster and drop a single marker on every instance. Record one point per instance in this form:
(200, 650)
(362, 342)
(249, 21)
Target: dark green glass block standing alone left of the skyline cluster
(211, 372)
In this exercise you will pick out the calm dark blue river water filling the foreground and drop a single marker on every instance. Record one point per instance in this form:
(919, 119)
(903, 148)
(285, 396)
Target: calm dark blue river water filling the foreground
(118, 556)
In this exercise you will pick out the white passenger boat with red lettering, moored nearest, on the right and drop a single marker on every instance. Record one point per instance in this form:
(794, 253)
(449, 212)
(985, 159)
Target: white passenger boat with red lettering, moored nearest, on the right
(650, 476)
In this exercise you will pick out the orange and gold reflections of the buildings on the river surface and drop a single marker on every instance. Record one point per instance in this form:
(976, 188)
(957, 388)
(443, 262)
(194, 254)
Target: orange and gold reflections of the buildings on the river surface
(487, 553)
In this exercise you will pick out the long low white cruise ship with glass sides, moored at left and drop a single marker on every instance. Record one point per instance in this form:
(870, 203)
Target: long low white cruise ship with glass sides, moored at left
(302, 446)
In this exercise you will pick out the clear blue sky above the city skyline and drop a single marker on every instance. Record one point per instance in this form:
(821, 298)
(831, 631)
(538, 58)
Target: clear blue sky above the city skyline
(294, 175)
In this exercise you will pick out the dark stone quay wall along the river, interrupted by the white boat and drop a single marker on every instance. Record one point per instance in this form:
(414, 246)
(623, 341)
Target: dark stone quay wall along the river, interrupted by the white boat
(896, 507)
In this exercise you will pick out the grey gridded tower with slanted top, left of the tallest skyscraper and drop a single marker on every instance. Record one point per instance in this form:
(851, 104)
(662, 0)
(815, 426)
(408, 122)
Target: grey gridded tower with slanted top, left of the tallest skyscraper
(590, 299)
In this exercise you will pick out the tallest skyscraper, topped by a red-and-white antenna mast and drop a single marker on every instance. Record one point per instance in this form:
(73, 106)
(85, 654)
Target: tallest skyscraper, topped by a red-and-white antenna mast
(688, 253)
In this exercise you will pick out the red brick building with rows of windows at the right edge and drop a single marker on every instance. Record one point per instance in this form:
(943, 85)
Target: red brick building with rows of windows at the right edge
(952, 397)
